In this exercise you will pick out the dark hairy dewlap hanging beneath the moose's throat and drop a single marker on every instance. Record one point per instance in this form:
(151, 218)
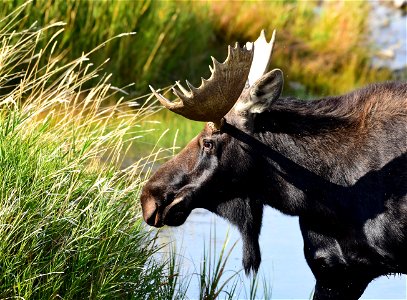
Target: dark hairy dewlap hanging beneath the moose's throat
(247, 216)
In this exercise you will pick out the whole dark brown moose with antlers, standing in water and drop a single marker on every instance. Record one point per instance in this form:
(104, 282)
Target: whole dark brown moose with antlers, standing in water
(339, 163)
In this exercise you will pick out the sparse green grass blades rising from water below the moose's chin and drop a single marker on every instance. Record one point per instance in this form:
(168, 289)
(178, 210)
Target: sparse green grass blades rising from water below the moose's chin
(213, 277)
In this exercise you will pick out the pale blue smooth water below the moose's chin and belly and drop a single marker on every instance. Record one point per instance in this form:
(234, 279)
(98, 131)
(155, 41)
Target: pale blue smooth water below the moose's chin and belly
(283, 264)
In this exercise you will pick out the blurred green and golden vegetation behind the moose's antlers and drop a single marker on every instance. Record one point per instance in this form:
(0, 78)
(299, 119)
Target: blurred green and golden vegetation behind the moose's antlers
(321, 46)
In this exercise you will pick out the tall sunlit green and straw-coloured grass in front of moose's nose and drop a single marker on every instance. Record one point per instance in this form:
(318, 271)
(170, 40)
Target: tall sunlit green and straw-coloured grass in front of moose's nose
(70, 226)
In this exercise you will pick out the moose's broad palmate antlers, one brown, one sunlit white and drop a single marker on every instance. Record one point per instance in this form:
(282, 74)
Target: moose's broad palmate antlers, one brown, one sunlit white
(212, 100)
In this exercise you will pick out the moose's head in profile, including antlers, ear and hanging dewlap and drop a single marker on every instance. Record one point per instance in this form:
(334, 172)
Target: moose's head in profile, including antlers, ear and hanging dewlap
(216, 171)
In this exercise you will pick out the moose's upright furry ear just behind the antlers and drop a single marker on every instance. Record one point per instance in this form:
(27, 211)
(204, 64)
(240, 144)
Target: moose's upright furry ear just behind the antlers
(265, 91)
